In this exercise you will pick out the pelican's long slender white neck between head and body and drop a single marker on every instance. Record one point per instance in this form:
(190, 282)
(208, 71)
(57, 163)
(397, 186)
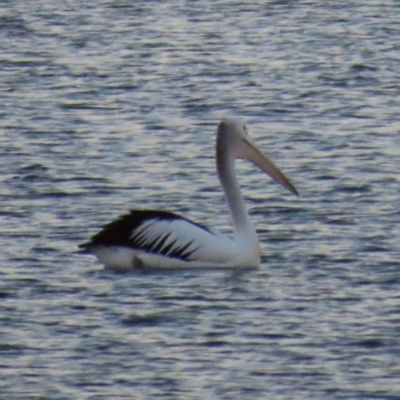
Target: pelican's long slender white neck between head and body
(237, 208)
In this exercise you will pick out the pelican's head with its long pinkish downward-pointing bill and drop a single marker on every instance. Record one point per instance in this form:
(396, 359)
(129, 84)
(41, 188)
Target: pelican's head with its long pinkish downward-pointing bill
(234, 142)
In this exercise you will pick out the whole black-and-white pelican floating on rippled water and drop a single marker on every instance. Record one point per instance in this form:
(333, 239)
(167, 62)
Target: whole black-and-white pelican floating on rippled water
(162, 239)
